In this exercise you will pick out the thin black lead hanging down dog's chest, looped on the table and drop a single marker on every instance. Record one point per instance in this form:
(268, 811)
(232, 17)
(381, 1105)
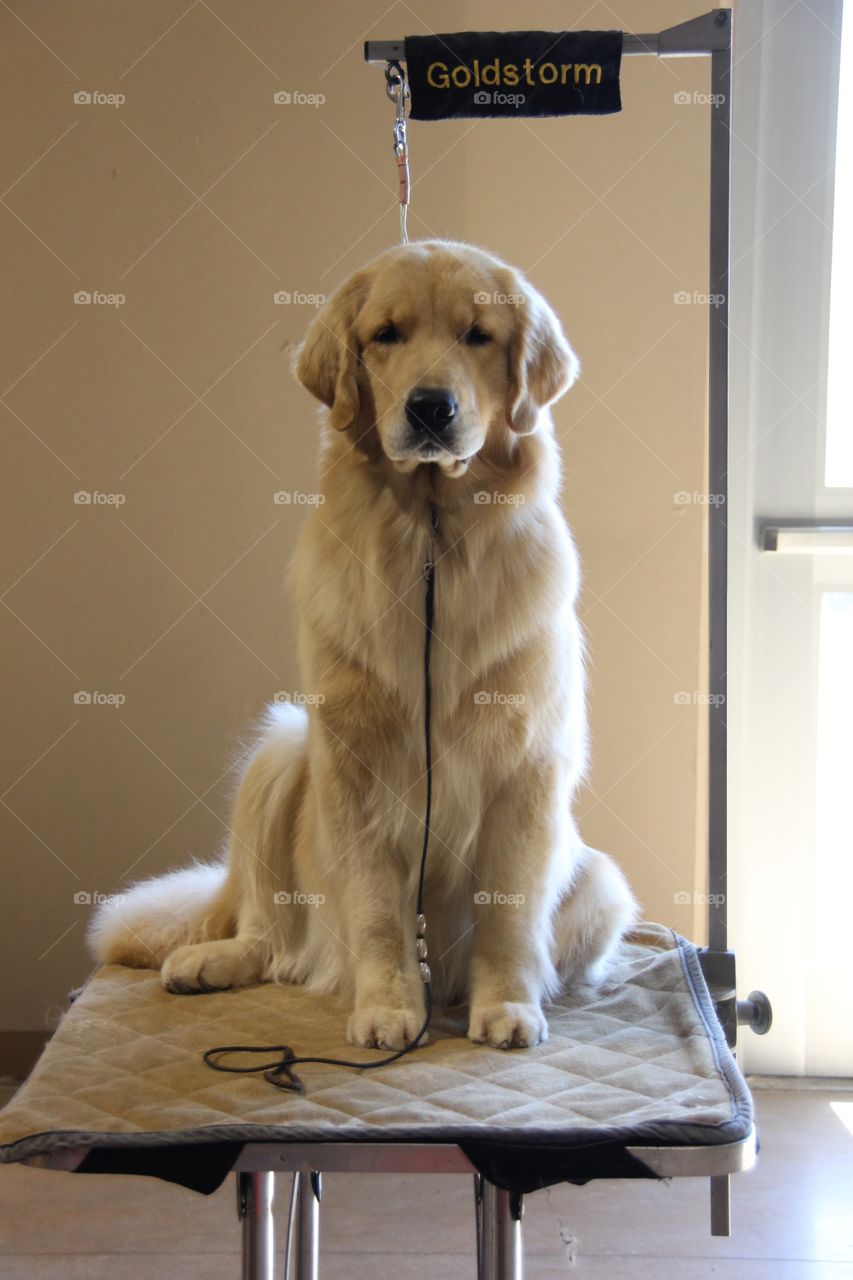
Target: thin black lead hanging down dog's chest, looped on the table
(281, 1072)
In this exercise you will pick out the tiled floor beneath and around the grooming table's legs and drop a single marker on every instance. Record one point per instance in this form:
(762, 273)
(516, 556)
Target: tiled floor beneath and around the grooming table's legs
(793, 1219)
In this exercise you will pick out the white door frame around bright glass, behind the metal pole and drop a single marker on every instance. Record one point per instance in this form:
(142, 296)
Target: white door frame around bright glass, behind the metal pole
(784, 107)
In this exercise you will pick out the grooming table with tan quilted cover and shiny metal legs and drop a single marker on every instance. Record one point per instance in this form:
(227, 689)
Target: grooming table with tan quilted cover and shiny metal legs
(636, 1081)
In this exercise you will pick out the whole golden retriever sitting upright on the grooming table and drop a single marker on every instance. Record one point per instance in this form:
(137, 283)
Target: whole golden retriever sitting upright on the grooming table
(436, 364)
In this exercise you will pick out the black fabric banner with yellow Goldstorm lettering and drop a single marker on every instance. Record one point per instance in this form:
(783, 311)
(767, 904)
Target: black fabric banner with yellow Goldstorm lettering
(512, 74)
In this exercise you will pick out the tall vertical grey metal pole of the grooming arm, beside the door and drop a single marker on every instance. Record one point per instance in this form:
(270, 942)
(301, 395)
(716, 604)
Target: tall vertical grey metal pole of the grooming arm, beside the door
(719, 482)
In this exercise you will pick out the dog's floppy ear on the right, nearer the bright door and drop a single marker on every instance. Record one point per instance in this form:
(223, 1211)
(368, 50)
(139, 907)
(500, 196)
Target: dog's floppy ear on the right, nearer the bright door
(542, 364)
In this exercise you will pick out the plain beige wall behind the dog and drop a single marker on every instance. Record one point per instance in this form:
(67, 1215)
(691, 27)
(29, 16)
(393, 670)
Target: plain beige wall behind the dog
(181, 401)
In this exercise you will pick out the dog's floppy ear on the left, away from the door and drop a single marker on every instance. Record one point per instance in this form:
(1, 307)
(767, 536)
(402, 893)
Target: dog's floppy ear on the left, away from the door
(329, 360)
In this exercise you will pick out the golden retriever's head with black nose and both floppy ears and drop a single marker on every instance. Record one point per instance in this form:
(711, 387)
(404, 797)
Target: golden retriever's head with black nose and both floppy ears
(435, 346)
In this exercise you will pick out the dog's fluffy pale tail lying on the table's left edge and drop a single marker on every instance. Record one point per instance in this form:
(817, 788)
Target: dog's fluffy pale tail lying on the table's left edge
(144, 925)
